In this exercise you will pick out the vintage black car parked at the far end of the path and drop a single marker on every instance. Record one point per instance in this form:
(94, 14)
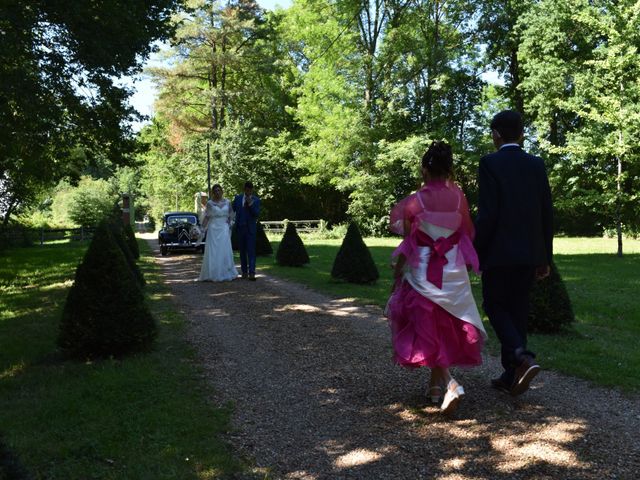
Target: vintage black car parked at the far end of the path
(180, 231)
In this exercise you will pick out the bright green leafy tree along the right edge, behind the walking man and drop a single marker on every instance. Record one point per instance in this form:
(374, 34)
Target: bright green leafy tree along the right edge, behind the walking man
(583, 73)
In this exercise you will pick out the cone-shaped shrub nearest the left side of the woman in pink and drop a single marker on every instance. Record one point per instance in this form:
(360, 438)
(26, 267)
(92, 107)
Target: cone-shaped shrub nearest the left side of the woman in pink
(353, 262)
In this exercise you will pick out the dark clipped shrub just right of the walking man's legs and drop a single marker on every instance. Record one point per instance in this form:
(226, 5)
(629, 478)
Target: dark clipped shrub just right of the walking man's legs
(550, 310)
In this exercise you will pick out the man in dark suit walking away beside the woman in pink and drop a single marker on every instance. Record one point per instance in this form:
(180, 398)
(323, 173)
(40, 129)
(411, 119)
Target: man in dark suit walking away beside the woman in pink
(514, 240)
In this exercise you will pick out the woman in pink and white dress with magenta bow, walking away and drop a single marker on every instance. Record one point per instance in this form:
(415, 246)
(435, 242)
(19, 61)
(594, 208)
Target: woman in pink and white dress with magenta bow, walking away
(433, 316)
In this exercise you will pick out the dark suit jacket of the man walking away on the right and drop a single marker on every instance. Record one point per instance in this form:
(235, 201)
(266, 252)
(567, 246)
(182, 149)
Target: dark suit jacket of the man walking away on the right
(514, 226)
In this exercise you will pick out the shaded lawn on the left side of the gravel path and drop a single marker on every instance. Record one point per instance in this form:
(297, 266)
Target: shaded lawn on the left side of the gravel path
(141, 417)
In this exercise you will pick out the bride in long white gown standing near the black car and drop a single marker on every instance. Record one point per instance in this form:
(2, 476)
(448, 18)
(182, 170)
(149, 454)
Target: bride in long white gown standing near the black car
(217, 263)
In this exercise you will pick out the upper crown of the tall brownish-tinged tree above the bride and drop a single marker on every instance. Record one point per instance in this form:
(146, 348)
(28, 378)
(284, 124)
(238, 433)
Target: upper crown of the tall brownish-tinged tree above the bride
(223, 64)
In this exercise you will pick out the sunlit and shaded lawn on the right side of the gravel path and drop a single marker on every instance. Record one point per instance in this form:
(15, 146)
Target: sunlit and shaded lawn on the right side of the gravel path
(601, 347)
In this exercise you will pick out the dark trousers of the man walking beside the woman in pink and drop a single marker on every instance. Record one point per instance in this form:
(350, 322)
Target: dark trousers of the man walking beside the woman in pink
(505, 296)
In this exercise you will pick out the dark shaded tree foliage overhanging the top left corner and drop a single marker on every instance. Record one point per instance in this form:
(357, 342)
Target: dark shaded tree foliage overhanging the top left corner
(59, 67)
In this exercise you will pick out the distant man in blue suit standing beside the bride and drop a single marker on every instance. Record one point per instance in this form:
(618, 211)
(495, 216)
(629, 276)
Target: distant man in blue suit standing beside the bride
(247, 208)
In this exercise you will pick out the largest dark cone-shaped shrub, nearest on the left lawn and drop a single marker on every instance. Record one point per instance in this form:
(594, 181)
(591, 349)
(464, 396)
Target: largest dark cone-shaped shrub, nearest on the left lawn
(105, 314)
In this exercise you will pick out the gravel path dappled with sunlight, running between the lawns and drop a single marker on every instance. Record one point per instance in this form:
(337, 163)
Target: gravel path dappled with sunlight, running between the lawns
(316, 396)
